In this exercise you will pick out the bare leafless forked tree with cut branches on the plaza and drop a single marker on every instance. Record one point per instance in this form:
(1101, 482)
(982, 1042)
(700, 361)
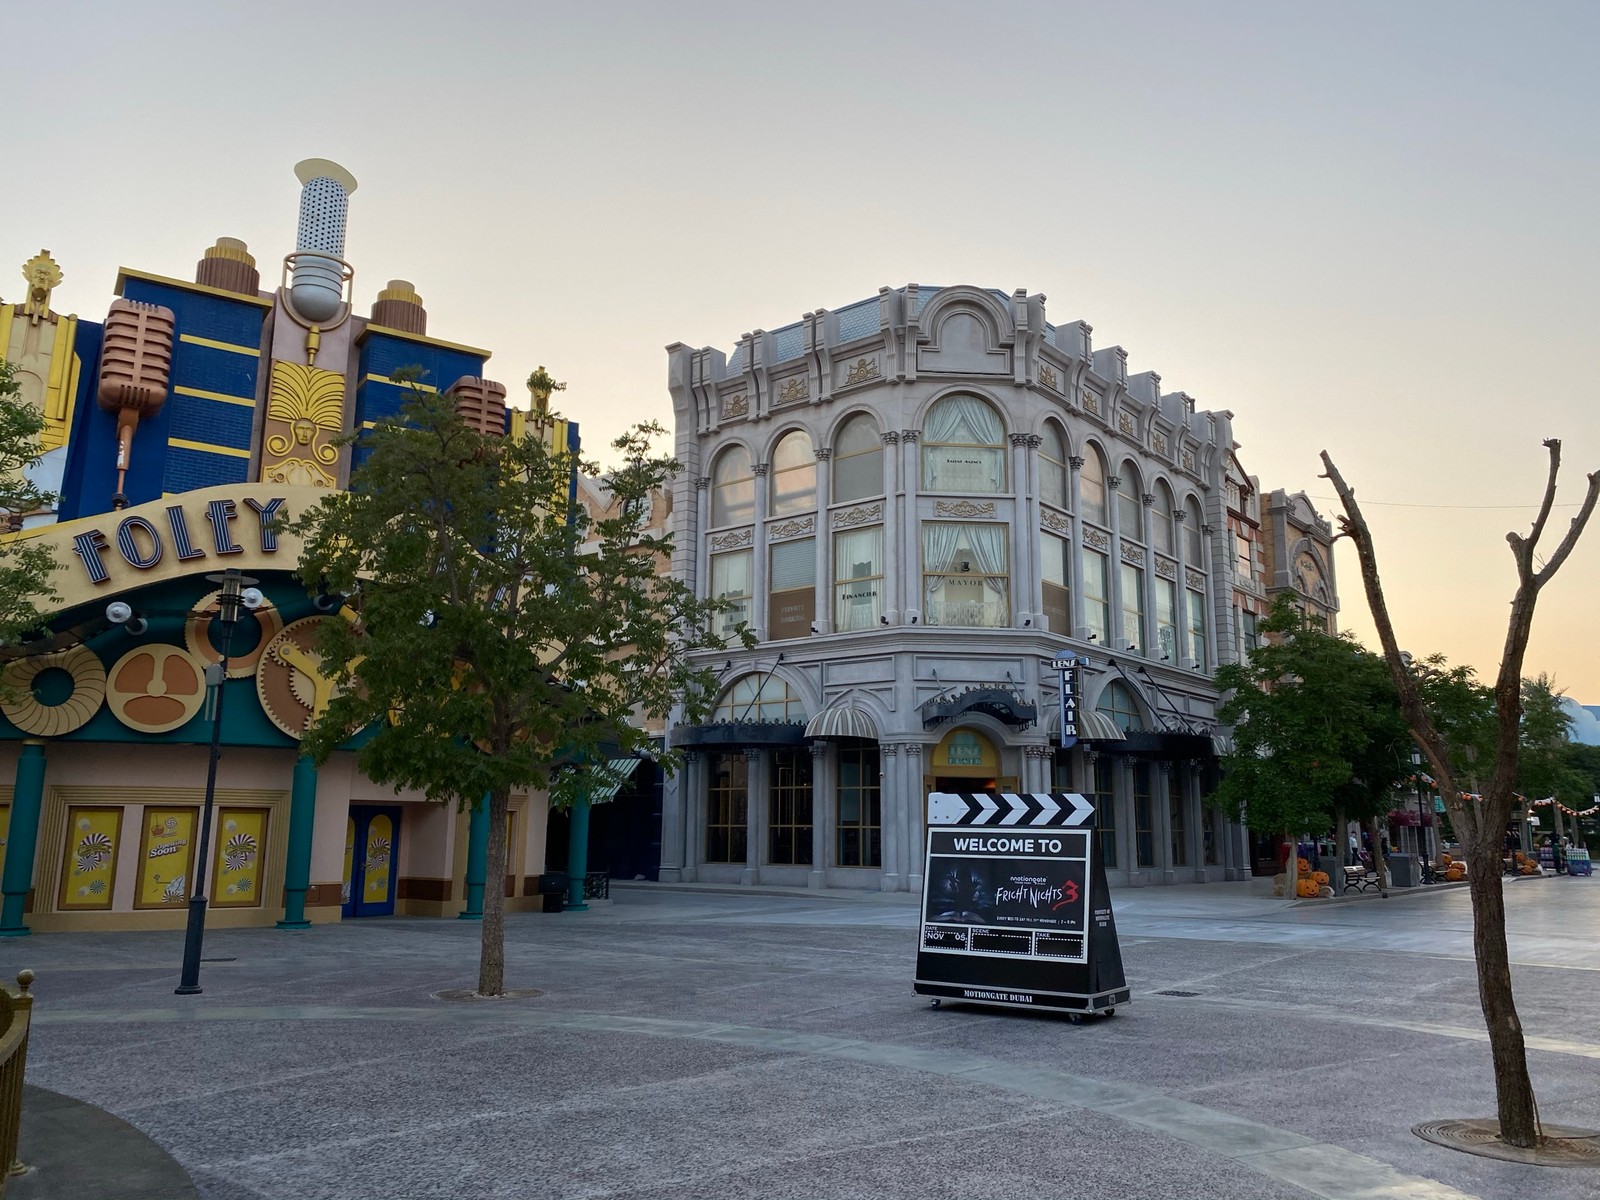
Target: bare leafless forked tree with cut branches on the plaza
(1481, 820)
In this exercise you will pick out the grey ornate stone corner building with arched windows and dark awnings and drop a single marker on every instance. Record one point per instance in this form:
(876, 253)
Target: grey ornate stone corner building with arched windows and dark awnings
(918, 503)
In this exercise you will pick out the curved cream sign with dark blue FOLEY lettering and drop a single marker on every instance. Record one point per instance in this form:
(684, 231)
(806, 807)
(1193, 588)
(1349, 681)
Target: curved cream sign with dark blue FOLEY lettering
(191, 534)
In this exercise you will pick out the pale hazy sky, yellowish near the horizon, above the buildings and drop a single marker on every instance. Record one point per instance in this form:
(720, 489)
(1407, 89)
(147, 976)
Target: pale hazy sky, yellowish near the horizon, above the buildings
(1361, 228)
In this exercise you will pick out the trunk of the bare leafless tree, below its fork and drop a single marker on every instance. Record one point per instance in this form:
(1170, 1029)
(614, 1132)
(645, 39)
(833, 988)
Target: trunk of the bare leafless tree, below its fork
(1519, 1114)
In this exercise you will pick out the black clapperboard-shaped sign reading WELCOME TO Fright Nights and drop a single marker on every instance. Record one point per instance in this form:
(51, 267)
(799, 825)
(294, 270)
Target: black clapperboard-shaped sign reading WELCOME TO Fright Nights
(1015, 906)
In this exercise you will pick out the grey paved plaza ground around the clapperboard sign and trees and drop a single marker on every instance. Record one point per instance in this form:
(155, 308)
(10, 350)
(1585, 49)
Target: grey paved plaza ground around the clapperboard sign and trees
(697, 1044)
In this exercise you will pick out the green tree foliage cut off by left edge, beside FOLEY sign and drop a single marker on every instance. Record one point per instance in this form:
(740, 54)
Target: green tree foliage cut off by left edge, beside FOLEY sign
(25, 569)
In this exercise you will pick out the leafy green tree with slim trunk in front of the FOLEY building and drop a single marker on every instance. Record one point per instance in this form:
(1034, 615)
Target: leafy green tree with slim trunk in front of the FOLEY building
(498, 639)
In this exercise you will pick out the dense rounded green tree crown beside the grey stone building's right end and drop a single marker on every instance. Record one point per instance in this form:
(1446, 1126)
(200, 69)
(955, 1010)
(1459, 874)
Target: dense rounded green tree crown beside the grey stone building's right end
(1318, 729)
